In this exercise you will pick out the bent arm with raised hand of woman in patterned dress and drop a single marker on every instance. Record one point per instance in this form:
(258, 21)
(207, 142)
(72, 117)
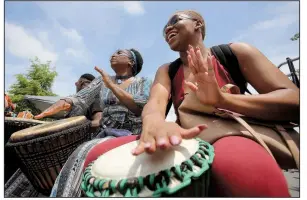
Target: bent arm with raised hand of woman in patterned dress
(134, 103)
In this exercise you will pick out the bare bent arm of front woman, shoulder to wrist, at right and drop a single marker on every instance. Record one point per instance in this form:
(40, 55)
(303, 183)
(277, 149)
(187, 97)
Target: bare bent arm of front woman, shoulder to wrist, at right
(278, 97)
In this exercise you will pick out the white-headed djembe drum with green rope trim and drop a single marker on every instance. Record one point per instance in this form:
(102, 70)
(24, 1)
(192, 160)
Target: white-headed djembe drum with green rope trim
(181, 171)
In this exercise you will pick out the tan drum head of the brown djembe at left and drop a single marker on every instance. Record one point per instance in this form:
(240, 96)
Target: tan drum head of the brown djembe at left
(46, 129)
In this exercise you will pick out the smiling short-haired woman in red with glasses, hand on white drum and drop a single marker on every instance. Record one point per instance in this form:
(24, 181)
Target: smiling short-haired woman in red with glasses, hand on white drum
(241, 166)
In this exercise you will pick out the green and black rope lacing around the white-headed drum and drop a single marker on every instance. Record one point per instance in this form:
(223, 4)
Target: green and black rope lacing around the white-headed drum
(158, 183)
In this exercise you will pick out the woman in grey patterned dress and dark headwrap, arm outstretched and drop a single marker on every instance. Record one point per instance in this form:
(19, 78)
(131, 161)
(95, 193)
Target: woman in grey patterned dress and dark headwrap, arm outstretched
(122, 96)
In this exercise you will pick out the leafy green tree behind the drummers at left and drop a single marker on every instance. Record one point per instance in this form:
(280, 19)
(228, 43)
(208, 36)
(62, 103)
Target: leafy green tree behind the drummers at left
(37, 81)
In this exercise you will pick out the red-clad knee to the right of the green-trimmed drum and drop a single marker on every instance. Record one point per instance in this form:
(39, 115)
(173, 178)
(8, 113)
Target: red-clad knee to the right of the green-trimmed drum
(242, 167)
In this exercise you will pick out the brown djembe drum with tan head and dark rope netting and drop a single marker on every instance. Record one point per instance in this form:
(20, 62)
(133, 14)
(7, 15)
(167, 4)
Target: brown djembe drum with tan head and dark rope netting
(44, 149)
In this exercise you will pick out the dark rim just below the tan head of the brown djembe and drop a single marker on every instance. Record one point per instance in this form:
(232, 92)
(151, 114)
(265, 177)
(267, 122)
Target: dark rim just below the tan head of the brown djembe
(87, 123)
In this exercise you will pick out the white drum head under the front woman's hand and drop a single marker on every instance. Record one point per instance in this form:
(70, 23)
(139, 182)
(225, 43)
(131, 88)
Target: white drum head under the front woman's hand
(119, 163)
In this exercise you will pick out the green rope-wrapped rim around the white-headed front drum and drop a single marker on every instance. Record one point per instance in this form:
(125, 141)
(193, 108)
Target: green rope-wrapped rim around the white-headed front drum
(198, 159)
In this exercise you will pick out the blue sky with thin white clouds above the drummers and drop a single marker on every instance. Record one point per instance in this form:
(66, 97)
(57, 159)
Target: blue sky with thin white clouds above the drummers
(76, 36)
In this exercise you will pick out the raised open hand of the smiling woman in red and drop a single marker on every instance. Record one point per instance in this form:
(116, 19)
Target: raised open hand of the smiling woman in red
(206, 87)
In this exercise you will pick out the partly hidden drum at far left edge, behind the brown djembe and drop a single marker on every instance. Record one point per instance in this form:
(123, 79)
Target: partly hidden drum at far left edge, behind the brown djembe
(11, 125)
